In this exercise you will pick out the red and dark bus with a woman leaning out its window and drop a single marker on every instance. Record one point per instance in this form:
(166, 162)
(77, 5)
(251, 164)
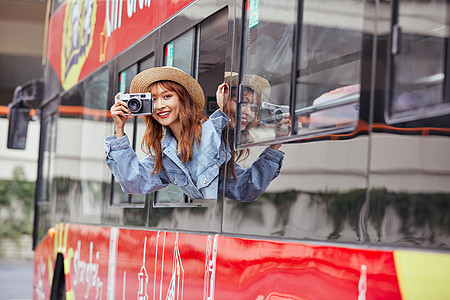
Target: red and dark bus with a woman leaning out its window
(361, 206)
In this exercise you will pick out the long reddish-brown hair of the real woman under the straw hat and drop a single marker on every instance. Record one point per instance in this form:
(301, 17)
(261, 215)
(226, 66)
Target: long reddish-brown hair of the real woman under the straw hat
(191, 119)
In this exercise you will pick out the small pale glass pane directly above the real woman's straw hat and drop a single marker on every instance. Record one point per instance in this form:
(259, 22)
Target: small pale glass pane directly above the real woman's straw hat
(180, 52)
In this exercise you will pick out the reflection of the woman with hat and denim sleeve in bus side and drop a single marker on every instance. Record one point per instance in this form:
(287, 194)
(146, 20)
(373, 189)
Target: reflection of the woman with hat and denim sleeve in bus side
(247, 184)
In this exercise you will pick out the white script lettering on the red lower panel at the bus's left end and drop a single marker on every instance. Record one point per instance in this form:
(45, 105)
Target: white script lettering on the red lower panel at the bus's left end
(87, 272)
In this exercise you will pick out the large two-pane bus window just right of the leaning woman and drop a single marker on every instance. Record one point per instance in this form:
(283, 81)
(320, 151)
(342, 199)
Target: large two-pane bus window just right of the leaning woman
(327, 79)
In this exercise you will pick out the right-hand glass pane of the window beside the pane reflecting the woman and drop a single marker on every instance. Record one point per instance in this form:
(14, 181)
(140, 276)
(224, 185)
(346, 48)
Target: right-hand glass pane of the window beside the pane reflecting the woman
(328, 76)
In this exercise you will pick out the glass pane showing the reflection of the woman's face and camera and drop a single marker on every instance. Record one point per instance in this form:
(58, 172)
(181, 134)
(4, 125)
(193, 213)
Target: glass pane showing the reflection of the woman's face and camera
(265, 82)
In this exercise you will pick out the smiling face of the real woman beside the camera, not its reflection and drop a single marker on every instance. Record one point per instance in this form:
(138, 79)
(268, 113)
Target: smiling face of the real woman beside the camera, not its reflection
(166, 108)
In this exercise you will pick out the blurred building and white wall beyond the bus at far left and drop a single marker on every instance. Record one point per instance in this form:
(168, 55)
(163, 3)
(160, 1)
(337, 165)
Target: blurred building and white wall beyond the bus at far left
(22, 27)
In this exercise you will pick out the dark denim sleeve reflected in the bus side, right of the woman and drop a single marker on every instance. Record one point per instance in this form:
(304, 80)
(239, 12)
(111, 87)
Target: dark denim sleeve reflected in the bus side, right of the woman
(251, 182)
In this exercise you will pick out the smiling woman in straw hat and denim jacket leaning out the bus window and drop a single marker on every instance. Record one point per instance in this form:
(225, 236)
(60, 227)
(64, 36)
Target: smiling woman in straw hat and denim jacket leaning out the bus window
(182, 145)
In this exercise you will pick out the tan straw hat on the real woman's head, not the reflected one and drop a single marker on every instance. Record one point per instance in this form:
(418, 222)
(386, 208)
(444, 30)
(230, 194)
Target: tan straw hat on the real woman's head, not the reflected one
(143, 80)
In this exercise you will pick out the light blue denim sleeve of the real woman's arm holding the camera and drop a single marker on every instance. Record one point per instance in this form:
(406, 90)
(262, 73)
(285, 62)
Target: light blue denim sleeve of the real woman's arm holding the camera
(133, 175)
